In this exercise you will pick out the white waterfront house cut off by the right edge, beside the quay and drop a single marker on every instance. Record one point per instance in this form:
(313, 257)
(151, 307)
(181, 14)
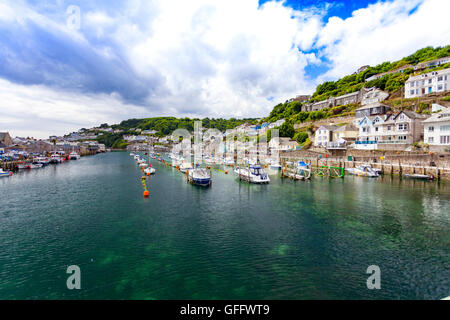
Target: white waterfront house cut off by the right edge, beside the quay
(437, 130)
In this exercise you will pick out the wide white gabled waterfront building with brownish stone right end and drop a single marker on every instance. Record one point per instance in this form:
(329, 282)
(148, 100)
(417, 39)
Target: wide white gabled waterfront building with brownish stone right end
(390, 132)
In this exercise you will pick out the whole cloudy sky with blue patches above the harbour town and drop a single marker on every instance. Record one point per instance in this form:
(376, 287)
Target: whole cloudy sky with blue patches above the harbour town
(66, 65)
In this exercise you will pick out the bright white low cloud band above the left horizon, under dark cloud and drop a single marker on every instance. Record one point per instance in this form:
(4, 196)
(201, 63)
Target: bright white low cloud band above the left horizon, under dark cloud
(39, 111)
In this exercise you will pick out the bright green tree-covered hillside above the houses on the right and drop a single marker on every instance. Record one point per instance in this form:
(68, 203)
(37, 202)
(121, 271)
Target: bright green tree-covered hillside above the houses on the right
(392, 83)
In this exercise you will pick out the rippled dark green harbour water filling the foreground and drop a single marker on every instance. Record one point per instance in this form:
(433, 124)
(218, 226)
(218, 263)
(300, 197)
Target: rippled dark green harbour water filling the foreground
(285, 240)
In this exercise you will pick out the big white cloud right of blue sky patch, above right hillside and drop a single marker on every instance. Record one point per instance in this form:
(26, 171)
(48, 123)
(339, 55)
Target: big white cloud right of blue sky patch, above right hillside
(384, 31)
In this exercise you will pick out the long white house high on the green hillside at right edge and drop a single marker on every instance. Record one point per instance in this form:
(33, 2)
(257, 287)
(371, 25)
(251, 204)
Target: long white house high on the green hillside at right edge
(434, 81)
